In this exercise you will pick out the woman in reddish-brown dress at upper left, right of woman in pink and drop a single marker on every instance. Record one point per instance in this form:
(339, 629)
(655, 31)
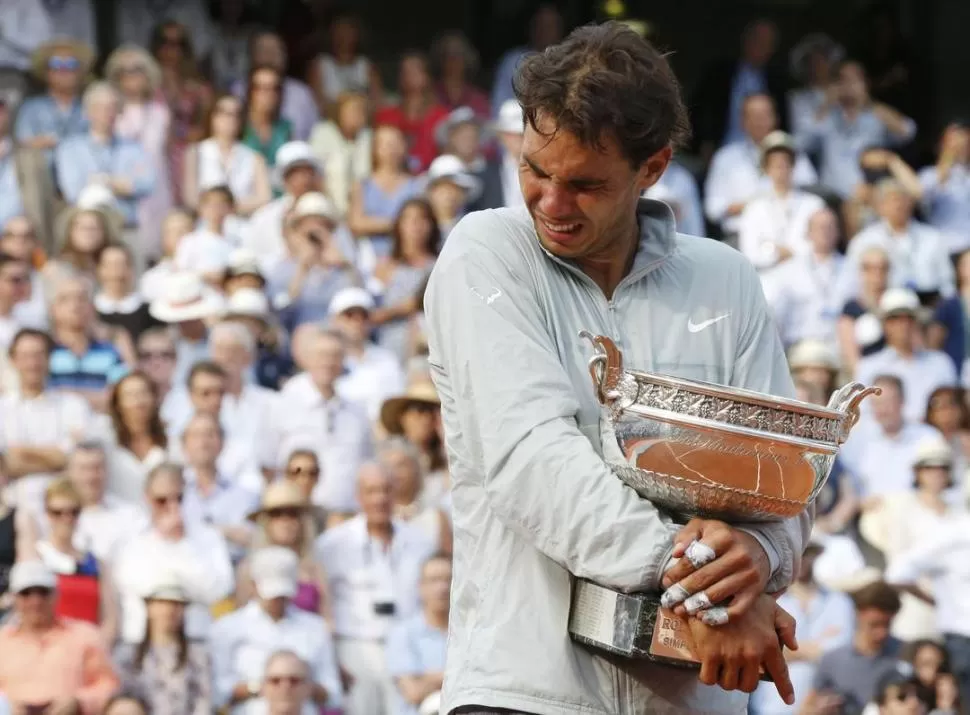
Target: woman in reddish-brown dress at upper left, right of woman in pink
(187, 95)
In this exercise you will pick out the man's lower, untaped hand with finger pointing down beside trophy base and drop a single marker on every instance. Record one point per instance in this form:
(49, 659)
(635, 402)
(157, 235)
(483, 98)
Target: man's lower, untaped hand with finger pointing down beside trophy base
(733, 655)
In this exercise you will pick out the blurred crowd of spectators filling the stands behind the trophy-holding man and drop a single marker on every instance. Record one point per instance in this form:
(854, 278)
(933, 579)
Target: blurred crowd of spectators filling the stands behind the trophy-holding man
(224, 480)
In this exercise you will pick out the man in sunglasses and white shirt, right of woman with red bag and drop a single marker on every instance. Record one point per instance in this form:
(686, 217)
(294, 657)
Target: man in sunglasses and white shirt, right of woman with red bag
(195, 553)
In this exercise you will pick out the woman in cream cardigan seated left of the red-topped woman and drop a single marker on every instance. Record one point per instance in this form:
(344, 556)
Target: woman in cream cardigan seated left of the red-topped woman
(343, 146)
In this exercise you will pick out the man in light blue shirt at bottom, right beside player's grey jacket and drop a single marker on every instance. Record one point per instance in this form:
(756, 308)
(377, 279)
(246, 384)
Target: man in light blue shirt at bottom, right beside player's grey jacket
(416, 646)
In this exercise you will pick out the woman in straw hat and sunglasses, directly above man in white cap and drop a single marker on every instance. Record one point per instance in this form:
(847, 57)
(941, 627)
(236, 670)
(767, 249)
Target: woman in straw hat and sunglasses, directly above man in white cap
(284, 520)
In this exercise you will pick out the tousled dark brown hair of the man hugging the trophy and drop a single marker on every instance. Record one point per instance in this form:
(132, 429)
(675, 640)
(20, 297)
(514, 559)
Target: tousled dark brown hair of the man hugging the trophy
(606, 81)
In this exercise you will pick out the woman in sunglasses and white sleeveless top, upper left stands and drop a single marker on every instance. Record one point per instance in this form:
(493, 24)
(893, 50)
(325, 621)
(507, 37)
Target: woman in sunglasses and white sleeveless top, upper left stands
(221, 158)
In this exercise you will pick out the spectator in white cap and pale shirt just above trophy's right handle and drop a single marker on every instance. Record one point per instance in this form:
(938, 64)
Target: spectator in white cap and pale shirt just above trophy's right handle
(921, 371)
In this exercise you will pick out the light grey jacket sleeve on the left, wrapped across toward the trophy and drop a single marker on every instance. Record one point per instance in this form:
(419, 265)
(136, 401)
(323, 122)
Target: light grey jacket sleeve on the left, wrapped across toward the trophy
(503, 384)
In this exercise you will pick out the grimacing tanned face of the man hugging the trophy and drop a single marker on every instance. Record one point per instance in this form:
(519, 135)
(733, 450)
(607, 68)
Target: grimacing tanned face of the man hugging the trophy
(582, 199)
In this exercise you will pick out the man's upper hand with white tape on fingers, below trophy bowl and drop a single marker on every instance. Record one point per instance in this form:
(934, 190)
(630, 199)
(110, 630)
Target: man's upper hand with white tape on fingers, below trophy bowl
(716, 564)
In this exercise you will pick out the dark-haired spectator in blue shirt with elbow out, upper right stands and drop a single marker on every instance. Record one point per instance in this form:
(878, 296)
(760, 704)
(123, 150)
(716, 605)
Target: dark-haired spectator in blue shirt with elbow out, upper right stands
(848, 123)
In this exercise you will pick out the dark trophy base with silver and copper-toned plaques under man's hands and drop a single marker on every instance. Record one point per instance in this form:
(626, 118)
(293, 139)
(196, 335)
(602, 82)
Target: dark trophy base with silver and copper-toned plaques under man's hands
(633, 625)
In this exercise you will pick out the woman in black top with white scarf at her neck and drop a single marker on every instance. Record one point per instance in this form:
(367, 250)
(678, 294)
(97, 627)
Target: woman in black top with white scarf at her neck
(117, 302)
